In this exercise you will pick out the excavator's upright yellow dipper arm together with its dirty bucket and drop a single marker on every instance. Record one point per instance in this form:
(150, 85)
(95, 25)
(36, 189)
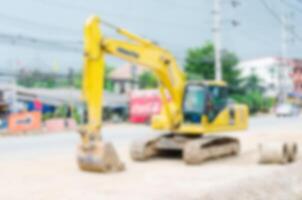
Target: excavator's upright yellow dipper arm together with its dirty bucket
(93, 153)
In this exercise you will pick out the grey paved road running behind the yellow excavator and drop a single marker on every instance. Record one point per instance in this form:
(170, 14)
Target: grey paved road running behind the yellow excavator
(38, 144)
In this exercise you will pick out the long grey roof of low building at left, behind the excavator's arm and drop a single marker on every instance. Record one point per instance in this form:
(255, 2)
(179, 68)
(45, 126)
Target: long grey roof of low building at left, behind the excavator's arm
(52, 98)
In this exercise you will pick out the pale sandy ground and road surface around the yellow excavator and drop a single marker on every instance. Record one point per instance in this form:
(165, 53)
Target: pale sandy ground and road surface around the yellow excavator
(43, 166)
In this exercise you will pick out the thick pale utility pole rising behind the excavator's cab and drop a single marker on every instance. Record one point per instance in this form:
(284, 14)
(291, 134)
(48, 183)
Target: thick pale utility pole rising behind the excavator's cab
(217, 39)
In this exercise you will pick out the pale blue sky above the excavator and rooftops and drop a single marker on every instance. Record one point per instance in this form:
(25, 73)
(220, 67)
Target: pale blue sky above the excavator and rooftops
(176, 25)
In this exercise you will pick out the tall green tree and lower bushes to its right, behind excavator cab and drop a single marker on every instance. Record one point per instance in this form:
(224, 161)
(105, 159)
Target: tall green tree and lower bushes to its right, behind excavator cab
(200, 64)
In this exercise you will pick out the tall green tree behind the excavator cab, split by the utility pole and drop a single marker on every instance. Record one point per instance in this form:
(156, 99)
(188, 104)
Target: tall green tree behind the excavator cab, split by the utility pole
(200, 64)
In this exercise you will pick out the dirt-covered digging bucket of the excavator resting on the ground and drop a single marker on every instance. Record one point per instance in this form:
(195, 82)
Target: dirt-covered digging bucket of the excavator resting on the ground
(99, 157)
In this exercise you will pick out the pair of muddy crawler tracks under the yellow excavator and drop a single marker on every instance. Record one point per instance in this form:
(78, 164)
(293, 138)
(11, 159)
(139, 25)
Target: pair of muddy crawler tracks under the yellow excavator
(195, 150)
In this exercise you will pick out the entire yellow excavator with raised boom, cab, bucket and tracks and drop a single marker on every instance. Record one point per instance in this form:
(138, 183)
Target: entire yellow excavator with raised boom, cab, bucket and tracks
(191, 111)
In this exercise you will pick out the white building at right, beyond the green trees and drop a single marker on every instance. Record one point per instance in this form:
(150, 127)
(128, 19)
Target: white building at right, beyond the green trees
(268, 70)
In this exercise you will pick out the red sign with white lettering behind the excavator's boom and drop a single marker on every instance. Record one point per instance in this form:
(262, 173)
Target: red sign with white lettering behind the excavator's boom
(144, 104)
